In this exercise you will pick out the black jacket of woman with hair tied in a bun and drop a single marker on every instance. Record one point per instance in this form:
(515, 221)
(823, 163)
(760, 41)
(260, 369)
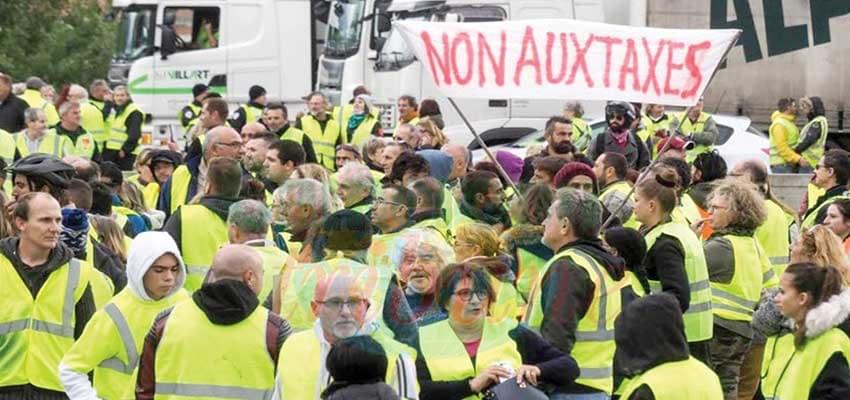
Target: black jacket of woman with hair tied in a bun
(665, 263)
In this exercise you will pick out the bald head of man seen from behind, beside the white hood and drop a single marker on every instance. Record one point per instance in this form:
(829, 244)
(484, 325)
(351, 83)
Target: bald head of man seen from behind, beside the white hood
(240, 263)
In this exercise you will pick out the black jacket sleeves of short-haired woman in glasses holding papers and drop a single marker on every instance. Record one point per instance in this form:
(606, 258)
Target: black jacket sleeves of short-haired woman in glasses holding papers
(557, 368)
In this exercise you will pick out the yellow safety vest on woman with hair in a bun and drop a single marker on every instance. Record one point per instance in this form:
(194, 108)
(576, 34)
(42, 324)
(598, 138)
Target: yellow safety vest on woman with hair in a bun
(699, 322)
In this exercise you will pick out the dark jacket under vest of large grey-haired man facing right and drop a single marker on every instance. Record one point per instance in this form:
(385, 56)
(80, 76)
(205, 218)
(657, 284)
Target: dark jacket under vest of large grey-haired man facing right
(566, 295)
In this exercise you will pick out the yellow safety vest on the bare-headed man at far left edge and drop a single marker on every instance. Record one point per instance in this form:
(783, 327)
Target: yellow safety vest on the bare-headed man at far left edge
(35, 333)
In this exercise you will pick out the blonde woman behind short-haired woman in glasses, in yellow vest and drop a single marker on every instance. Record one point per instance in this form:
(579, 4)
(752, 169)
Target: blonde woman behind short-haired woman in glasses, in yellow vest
(478, 244)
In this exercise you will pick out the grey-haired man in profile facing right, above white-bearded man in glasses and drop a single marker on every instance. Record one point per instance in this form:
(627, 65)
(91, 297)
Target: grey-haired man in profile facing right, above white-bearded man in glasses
(302, 204)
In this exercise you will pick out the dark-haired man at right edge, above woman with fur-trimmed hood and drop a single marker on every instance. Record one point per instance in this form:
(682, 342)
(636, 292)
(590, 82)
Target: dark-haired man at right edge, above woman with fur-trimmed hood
(831, 174)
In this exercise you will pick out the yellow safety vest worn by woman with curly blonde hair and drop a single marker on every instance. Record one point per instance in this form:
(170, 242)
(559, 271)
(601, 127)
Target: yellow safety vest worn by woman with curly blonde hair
(737, 299)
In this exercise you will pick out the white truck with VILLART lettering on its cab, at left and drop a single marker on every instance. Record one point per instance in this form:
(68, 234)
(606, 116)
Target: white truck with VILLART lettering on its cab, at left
(272, 43)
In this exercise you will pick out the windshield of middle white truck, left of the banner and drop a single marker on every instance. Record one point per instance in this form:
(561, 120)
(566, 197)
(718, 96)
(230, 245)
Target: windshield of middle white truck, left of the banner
(345, 23)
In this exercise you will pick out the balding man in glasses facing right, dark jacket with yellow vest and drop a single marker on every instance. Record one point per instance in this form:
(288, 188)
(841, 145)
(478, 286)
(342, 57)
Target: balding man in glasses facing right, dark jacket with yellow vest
(190, 178)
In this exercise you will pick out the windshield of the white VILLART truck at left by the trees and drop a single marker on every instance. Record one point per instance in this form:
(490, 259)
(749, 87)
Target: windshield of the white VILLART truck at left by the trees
(135, 33)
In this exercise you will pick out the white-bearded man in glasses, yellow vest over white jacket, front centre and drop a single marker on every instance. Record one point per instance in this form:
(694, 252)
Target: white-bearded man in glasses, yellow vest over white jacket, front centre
(340, 304)
